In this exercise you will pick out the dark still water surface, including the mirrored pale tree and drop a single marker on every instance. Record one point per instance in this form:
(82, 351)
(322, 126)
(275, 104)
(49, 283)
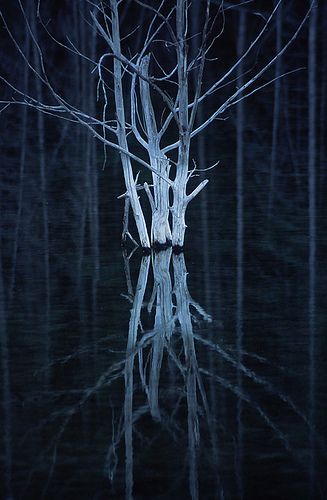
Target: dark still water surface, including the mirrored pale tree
(166, 376)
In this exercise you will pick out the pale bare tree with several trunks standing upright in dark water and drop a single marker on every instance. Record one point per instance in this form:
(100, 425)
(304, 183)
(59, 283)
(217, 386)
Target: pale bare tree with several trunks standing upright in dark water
(148, 97)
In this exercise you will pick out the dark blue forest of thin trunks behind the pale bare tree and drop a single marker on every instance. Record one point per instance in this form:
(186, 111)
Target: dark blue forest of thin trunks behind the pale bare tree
(54, 173)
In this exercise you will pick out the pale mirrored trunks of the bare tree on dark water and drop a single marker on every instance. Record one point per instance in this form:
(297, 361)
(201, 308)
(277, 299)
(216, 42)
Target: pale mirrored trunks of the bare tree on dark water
(174, 312)
